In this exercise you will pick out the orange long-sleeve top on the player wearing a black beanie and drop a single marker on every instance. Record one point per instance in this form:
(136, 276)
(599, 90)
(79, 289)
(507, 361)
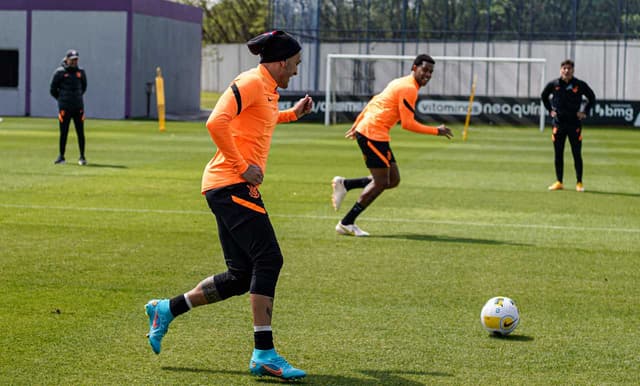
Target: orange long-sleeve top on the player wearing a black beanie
(241, 125)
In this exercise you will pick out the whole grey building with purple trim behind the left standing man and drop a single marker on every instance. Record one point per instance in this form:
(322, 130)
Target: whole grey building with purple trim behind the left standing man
(120, 42)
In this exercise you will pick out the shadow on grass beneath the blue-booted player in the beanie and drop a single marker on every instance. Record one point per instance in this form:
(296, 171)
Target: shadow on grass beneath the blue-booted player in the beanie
(381, 377)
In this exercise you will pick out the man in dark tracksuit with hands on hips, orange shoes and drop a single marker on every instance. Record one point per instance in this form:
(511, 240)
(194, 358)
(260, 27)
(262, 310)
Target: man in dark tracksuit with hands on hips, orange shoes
(567, 111)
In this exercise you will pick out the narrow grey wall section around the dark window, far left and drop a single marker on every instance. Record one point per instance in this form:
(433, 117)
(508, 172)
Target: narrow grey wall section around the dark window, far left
(13, 36)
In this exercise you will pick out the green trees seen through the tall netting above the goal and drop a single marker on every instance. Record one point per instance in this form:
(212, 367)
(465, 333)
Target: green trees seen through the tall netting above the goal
(404, 20)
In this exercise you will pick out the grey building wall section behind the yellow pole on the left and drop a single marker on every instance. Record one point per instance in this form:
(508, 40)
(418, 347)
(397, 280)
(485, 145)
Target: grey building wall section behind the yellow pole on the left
(175, 47)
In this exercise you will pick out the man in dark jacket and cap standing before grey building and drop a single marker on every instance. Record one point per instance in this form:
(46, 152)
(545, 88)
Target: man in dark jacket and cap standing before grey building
(68, 85)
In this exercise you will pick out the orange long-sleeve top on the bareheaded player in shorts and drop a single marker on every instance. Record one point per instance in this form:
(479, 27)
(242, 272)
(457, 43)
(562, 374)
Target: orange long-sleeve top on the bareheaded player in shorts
(395, 103)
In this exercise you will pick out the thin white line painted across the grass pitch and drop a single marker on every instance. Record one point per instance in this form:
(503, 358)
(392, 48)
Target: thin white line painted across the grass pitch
(317, 217)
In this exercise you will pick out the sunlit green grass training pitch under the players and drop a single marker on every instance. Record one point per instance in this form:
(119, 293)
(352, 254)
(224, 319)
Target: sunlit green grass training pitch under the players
(82, 249)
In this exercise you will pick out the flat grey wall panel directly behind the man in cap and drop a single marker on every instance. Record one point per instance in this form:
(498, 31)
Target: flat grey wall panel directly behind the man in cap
(102, 55)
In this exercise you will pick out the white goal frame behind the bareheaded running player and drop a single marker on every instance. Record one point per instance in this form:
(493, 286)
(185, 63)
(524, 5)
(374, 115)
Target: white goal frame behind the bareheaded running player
(334, 58)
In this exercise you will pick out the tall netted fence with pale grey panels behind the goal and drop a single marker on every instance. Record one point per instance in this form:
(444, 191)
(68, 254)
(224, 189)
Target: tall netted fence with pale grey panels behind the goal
(603, 38)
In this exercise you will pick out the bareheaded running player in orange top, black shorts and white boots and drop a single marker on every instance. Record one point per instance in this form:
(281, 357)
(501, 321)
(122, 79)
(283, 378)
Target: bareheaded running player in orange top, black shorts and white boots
(396, 103)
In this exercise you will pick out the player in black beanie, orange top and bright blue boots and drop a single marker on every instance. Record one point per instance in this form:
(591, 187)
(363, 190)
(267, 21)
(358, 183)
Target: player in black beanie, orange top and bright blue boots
(241, 125)
